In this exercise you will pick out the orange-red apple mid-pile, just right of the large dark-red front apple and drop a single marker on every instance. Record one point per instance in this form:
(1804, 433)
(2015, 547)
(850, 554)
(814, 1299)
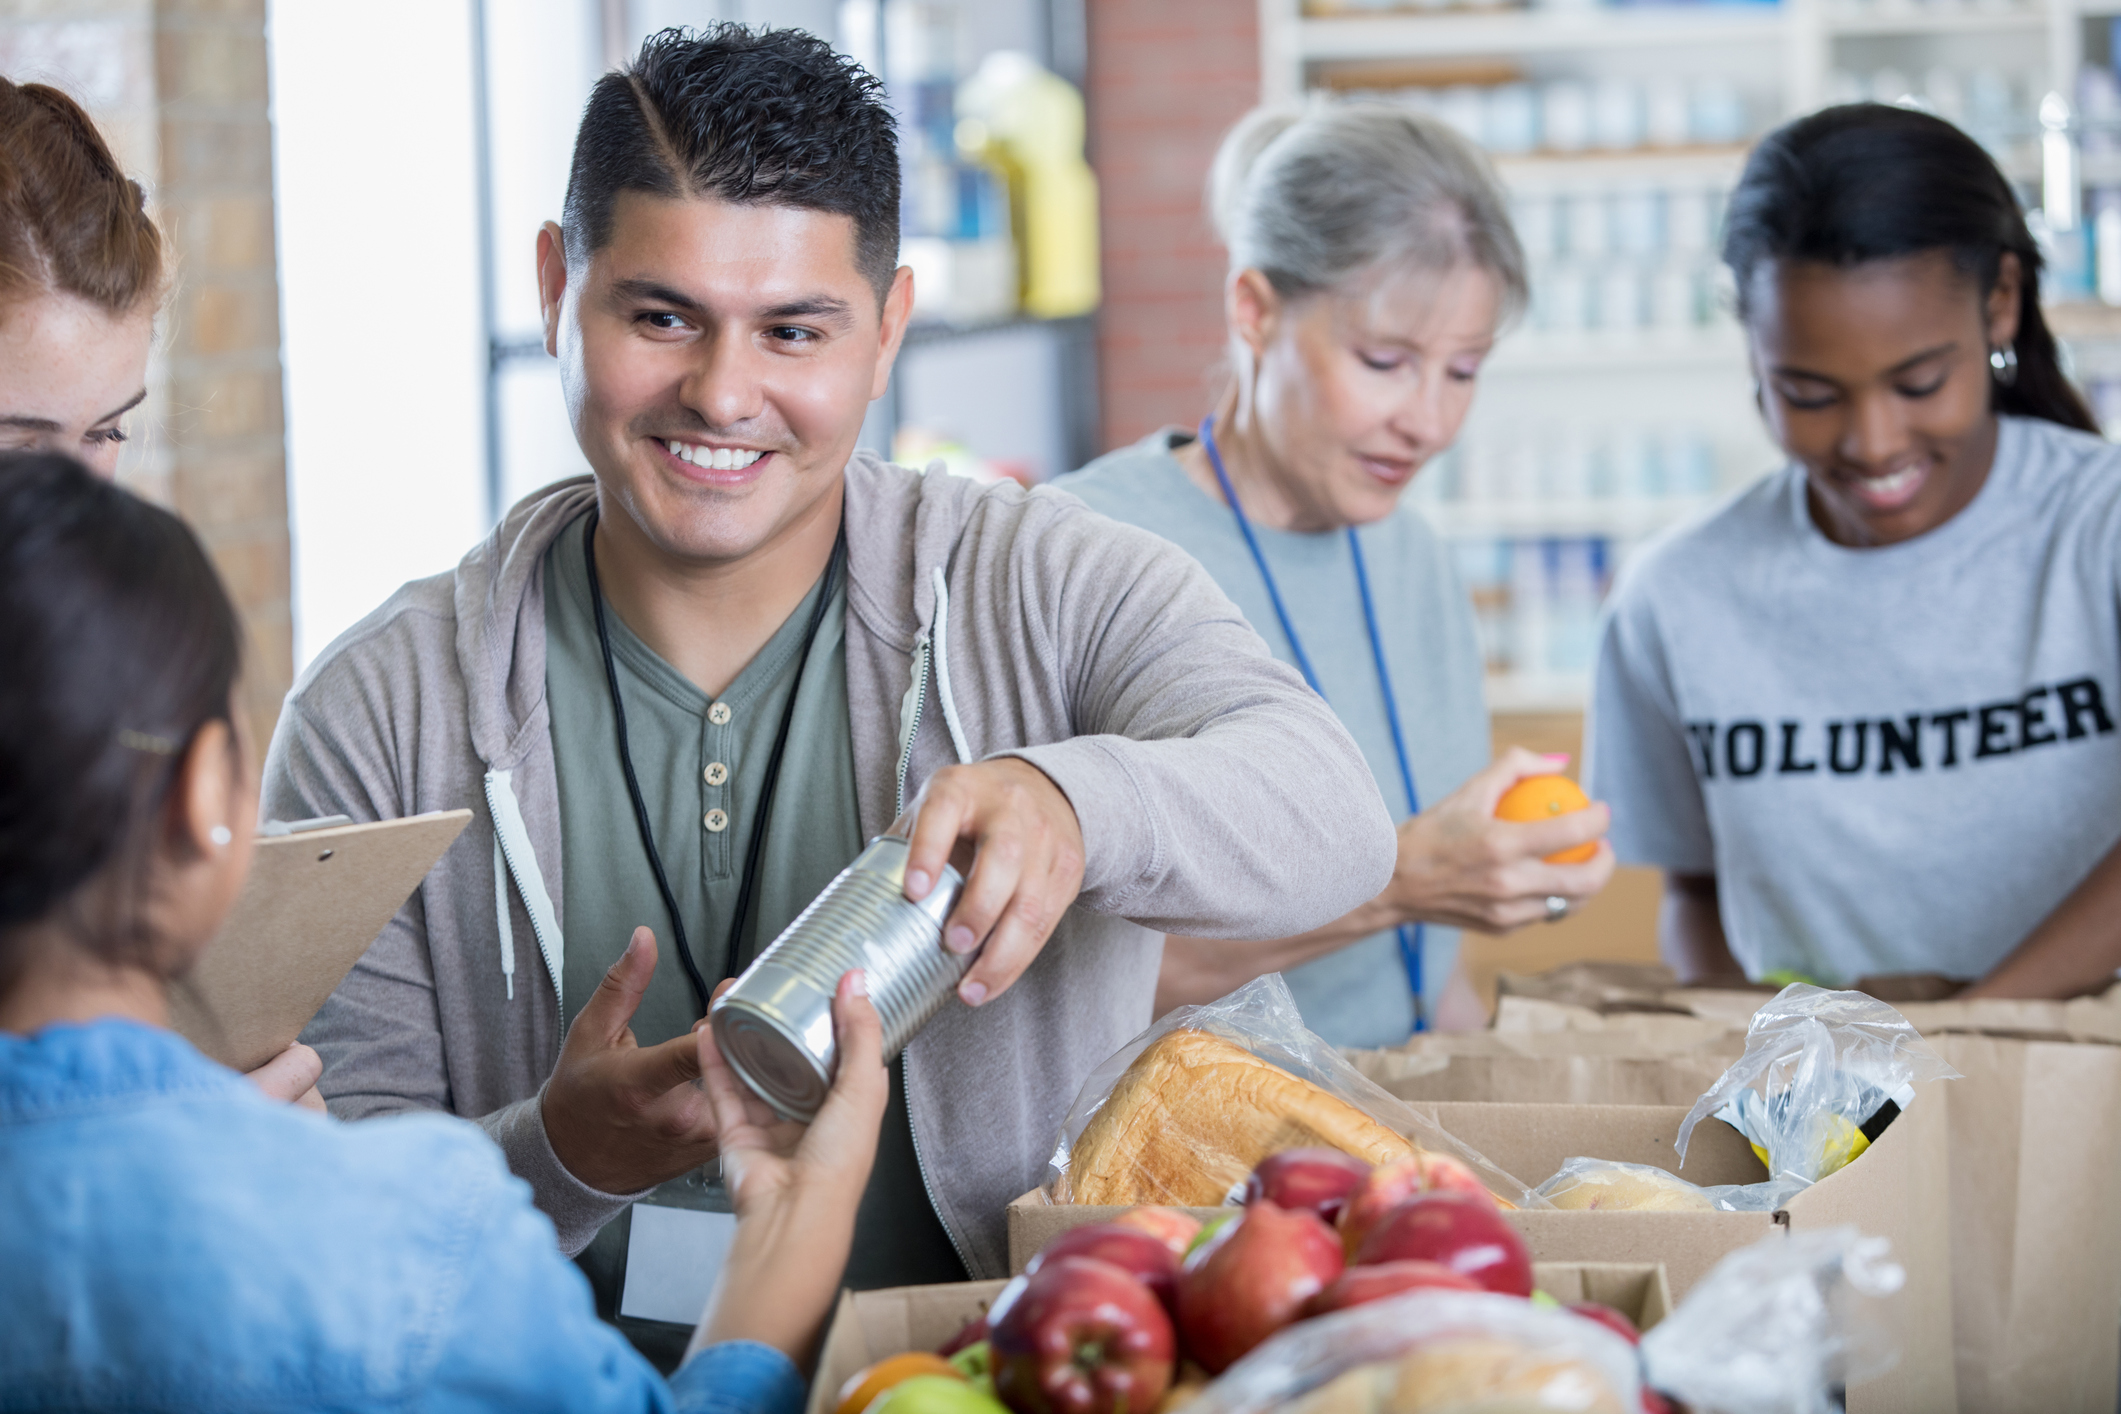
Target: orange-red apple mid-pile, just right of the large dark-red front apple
(1250, 1279)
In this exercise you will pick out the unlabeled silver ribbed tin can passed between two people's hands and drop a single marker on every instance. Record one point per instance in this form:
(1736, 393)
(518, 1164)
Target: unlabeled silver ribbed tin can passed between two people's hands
(775, 1025)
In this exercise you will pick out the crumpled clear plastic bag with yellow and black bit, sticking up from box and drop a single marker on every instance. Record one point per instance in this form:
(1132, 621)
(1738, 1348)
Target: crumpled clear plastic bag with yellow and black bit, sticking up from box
(1821, 1078)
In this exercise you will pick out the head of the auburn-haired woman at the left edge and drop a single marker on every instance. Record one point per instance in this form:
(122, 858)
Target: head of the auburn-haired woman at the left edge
(82, 277)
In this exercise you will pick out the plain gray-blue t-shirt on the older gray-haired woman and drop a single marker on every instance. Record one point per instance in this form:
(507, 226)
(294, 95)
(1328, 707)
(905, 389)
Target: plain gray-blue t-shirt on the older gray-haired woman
(1359, 995)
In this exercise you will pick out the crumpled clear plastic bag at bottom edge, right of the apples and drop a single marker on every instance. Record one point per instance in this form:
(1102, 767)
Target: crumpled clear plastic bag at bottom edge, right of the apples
(1778, 1328)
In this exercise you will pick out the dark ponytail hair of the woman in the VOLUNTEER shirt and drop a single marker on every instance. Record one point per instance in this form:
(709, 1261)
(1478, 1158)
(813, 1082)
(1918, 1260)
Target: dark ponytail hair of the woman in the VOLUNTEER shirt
(1874, 183)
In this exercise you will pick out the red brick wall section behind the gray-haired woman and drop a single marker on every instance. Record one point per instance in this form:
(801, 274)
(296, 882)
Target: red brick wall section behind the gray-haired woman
(1165, 79)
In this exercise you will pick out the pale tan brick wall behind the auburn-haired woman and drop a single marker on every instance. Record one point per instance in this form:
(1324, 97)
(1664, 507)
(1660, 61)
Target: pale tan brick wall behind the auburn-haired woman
(179, 90)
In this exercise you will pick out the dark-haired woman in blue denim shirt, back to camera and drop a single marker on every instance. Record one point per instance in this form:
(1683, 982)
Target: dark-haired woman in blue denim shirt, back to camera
(175, 1233)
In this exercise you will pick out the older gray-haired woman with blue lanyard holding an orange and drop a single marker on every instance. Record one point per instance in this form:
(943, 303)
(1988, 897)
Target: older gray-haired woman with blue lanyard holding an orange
(1371, 272)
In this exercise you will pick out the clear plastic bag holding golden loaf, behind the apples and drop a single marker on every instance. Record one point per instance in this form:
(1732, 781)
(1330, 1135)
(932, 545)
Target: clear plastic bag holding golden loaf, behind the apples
(1187, 1110)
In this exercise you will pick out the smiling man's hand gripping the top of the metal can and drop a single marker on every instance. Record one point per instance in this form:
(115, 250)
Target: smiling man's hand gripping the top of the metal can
(1019, 845)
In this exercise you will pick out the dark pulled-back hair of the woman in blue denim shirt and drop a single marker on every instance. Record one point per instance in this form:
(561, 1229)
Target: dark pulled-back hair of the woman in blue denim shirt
(118, 643)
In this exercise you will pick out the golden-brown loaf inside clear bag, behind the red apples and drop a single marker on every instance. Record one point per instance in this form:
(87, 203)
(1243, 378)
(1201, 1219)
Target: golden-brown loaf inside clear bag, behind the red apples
(1195, 1116)
